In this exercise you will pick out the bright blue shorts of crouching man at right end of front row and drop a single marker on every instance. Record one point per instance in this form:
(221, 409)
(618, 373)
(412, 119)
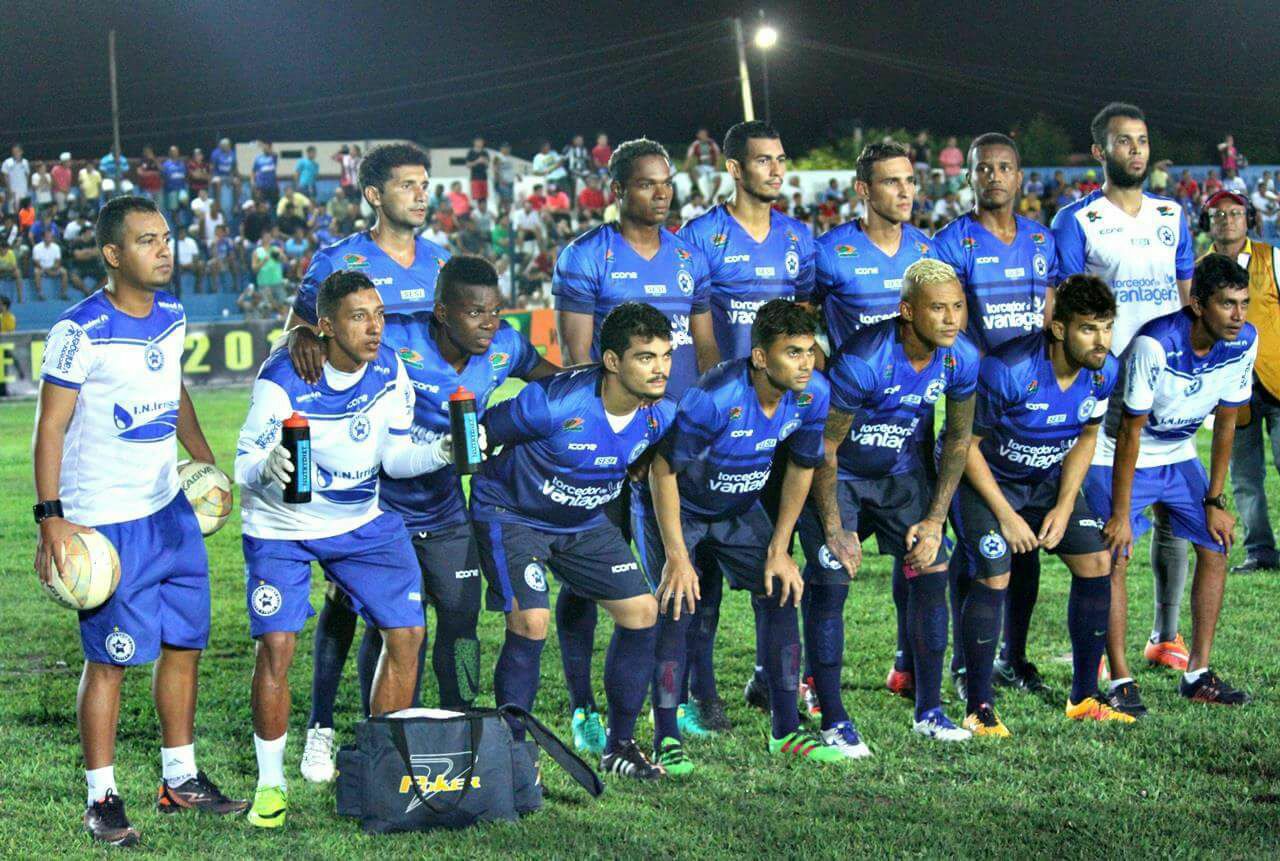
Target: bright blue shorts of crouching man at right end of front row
(1181, 488)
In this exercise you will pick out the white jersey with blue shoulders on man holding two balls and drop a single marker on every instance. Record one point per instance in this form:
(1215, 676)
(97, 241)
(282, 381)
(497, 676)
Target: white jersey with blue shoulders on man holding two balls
(121, 452)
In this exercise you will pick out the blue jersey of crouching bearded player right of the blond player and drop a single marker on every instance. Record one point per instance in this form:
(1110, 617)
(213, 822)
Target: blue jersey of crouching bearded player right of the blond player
(1026, 422)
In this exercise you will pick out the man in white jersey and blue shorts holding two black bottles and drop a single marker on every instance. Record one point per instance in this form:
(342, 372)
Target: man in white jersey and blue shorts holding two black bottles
(360, 416)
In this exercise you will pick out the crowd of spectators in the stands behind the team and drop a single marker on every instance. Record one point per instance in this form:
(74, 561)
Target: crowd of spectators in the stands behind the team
(253, 232)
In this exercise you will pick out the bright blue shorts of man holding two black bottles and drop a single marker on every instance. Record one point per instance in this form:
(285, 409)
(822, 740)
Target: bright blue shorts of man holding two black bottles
(373, 565)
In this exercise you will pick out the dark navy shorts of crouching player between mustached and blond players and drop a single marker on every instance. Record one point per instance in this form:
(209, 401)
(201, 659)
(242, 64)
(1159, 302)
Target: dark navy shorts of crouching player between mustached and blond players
(734, 548)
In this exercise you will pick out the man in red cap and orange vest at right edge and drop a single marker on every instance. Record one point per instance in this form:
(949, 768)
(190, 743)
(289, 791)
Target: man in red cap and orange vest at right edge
(1228, 217)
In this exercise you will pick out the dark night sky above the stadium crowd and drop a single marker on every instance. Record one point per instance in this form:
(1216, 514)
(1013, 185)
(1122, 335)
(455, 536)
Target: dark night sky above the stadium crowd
(440, 72)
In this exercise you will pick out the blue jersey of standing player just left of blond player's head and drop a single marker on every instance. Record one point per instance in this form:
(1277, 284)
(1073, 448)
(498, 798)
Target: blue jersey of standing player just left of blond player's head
(857, 283)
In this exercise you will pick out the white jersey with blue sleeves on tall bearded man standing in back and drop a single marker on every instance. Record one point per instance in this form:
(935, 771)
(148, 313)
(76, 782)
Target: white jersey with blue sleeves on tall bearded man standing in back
(1141, 258)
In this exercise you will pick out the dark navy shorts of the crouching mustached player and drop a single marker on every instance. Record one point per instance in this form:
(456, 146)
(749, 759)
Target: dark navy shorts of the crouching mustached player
(596, 565)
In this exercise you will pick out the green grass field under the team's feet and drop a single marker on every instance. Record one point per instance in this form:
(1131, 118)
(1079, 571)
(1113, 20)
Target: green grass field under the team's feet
(1190, 781)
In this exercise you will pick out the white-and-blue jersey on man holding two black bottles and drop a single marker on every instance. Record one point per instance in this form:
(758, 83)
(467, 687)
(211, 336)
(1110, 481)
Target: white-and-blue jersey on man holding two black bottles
(358, 420)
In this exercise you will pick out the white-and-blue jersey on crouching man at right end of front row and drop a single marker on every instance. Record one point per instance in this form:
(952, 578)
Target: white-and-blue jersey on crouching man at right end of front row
(1178, 390)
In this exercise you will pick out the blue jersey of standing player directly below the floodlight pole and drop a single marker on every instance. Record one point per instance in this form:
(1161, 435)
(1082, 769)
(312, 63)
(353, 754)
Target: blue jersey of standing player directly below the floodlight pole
(746, 274)
